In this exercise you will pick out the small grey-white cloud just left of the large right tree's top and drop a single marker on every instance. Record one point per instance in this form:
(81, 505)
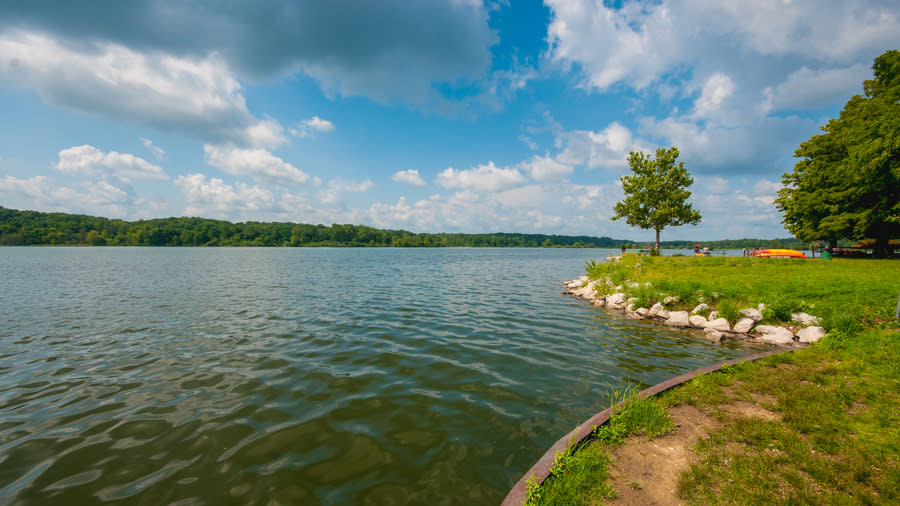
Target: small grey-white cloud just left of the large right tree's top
(810, 89)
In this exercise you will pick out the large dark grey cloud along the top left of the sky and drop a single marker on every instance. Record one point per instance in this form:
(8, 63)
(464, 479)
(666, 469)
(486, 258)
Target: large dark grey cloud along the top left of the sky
(391, 55)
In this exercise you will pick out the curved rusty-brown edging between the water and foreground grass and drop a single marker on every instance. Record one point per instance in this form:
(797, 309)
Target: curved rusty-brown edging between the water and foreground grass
(541, 469)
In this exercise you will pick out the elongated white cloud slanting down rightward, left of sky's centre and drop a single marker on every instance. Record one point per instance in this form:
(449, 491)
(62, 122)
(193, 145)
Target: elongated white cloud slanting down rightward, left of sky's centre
(255, 163)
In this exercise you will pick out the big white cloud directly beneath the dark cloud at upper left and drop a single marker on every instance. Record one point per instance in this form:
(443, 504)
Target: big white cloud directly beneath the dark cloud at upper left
(195, 95)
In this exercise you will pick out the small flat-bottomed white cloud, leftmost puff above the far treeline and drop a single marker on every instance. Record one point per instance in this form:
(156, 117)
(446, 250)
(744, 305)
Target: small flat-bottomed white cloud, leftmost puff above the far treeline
(87, 160)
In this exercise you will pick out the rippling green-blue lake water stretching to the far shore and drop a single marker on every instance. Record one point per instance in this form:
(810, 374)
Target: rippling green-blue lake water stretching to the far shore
(303, 376)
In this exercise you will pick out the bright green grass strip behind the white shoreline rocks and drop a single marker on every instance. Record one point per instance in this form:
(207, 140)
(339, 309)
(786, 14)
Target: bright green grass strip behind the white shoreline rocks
(822, 288)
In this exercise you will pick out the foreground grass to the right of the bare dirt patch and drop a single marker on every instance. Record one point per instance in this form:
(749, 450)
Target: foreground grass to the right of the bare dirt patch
(837, 440)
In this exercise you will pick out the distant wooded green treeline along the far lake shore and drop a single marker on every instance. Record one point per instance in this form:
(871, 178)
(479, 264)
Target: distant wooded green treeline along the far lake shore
(24, 228)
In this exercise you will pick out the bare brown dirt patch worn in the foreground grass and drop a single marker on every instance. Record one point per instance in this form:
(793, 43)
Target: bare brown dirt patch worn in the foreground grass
(646, 472)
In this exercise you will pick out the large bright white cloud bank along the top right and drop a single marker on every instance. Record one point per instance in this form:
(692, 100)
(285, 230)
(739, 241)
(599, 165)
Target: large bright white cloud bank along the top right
(638, 42)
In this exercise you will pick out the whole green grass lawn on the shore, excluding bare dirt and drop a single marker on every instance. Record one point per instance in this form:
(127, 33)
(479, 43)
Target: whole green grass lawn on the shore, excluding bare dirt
(835, 434)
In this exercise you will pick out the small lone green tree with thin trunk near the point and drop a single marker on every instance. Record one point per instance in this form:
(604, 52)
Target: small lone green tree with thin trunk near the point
(656, 193)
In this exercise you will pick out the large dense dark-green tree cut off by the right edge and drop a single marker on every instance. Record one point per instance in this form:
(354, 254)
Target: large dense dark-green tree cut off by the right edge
(847, 181)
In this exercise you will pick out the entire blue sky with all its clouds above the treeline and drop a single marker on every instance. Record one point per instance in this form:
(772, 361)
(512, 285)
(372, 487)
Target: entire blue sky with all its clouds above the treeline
(431, 116)
